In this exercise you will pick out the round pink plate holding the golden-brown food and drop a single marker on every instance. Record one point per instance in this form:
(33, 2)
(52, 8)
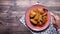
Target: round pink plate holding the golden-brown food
(27, 18)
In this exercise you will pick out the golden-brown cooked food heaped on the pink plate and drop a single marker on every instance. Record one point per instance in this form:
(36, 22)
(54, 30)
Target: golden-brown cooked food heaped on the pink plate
(38, 16)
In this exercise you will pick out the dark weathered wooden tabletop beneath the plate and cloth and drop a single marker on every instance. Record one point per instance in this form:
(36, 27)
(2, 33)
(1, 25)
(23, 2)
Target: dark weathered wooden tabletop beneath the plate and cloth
(12, 10)
